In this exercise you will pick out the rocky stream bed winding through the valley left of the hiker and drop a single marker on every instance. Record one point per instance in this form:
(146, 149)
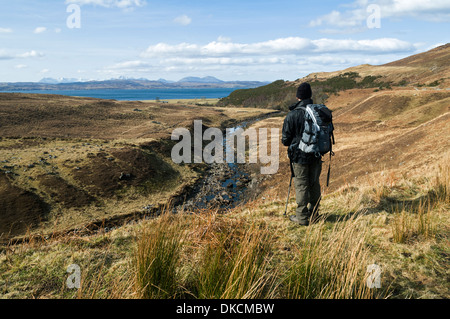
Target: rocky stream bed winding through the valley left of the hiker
(223, 186)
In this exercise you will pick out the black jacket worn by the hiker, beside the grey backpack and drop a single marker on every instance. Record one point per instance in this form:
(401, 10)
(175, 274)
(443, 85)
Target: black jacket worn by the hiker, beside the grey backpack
(292, 133)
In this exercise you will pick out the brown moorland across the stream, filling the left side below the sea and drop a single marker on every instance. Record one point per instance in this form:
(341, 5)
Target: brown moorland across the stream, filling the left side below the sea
(67, 162)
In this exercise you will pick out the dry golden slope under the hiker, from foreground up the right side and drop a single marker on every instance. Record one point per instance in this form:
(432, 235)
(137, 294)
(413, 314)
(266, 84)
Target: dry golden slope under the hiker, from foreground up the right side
(387, 205)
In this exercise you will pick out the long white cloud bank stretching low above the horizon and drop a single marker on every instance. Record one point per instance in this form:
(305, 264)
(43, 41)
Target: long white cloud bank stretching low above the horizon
(282, 58)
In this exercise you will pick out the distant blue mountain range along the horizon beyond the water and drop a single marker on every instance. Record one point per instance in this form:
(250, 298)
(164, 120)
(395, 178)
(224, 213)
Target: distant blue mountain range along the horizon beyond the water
(127, 83)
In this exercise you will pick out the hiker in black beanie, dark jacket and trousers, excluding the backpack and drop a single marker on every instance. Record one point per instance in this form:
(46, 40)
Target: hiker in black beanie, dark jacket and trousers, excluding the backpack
(305, 167)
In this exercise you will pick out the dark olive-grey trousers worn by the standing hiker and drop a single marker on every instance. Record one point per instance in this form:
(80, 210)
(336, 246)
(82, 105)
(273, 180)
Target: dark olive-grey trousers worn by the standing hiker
(307, 188)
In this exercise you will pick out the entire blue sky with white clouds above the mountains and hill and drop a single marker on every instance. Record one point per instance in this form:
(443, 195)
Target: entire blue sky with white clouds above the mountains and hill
(231, 40)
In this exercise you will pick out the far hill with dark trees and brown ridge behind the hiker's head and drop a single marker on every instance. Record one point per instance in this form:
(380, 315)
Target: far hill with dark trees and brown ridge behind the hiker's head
(429, 69)
